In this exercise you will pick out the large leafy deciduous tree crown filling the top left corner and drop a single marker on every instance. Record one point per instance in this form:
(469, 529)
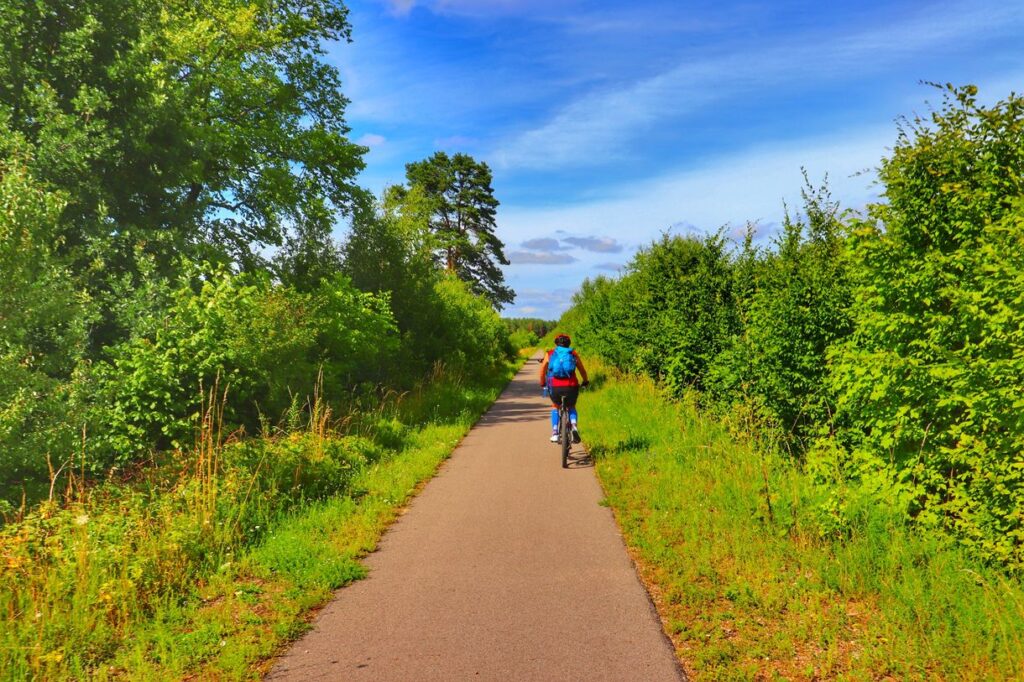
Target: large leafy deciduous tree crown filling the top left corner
(204, 127)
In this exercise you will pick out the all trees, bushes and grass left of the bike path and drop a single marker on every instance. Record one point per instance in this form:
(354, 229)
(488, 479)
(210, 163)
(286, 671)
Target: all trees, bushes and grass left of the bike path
(209, 407)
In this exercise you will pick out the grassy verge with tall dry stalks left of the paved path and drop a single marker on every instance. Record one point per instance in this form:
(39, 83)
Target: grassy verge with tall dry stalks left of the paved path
(206, 569)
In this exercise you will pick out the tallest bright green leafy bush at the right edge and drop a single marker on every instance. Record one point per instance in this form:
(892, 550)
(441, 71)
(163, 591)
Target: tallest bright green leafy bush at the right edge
(929, 385)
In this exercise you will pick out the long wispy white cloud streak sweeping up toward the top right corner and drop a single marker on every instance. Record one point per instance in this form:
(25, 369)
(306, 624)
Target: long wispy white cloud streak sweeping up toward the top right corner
(605, 123)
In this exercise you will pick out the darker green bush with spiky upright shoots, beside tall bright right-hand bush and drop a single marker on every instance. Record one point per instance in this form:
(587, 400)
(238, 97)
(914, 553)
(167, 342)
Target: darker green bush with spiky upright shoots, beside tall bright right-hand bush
(794, 304)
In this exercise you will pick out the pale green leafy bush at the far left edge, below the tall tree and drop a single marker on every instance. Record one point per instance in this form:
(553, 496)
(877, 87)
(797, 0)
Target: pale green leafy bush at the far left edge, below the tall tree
(44, 327)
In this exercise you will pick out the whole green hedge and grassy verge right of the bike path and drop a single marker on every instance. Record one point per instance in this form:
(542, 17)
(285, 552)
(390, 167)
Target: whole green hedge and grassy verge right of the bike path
(868, 518)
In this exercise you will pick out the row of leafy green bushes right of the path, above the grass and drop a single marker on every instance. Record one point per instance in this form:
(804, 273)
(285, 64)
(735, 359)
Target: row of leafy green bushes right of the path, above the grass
(884, 352)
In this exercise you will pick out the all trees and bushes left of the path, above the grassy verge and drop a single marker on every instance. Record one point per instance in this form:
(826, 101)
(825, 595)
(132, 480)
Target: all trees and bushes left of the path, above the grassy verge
(140, 138)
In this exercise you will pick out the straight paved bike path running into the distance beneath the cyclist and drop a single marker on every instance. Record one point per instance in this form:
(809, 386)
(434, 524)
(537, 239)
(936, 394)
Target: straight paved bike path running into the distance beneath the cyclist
(505, 568)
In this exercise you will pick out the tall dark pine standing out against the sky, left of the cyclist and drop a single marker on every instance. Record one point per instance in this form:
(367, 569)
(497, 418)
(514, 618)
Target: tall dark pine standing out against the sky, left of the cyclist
(462, 209)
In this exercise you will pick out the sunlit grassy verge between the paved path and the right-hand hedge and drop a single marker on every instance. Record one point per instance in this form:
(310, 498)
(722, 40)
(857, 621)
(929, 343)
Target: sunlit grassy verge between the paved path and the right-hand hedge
(728, 538)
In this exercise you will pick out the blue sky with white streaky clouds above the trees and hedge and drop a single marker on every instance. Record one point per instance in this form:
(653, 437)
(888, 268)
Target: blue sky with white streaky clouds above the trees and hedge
(608, 123)
